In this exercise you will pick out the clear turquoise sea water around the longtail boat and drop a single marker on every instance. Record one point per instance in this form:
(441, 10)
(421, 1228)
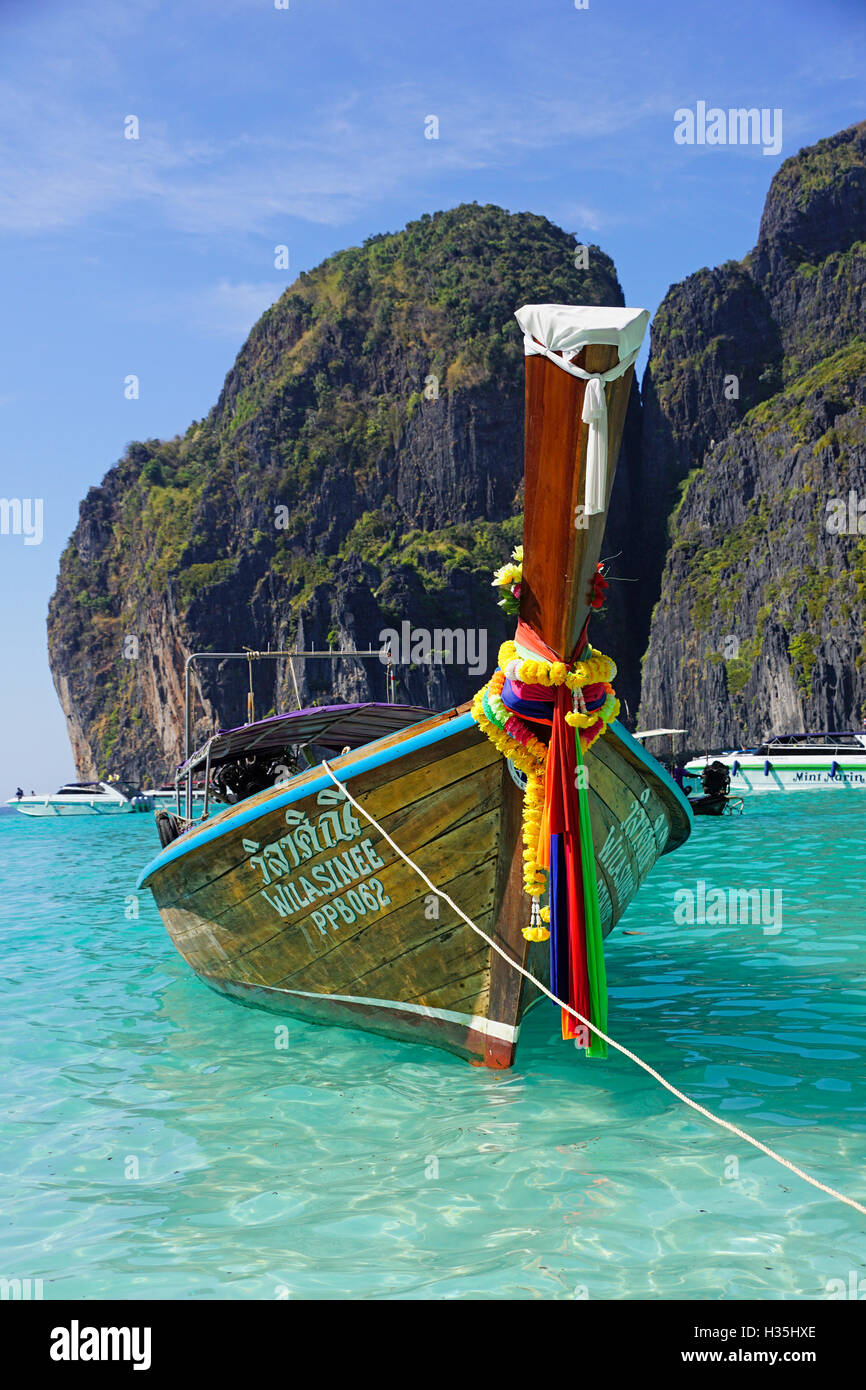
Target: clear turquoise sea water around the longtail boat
(156, 1143)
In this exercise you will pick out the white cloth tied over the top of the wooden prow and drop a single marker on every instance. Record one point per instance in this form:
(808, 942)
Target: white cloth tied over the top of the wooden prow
(550, 330)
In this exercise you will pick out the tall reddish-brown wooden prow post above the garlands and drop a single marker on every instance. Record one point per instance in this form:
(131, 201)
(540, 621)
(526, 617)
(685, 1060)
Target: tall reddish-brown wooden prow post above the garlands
(559, 557)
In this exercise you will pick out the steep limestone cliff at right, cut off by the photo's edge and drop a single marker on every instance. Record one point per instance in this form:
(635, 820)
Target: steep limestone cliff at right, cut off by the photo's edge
(754, 471)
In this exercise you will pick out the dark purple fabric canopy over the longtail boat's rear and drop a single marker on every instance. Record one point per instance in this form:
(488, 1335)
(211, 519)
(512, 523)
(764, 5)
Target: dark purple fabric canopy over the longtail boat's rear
(330, 726)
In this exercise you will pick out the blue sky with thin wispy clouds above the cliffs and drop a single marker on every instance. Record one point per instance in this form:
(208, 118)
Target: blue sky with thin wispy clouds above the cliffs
(307, 127)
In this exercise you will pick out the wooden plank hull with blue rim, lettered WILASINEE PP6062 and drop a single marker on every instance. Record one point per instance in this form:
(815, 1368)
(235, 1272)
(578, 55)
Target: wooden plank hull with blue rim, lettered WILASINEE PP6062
(291, 901)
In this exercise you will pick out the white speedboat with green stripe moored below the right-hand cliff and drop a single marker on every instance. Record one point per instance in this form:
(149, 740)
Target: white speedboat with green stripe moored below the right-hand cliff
(794, 762)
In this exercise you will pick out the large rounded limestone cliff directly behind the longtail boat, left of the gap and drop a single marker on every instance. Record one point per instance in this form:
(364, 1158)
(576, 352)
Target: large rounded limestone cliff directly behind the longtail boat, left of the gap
(361, 469)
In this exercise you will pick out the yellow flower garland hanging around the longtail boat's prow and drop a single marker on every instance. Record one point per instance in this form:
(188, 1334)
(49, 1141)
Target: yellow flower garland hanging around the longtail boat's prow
(515, 740)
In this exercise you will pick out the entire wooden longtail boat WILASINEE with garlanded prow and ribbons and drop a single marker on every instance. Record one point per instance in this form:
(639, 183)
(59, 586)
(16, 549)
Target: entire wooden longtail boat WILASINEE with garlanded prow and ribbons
(532, 808)
